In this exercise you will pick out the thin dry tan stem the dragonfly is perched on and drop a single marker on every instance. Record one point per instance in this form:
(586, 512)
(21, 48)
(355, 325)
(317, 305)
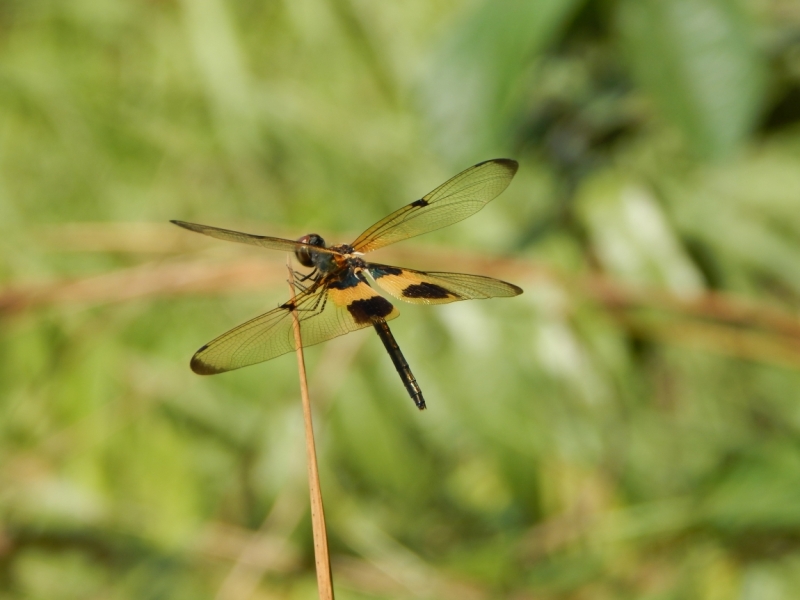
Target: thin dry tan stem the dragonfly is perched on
(321, 556)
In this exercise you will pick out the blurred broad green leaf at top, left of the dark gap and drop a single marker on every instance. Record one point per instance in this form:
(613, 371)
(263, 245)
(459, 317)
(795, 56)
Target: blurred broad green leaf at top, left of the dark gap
(473, 86)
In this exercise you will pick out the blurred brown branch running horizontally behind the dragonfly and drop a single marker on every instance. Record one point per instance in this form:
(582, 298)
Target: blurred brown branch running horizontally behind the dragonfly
(713, 321)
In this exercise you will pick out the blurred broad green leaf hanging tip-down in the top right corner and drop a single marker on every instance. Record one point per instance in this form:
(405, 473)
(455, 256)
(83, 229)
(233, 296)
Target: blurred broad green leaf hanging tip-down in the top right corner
(696, 58)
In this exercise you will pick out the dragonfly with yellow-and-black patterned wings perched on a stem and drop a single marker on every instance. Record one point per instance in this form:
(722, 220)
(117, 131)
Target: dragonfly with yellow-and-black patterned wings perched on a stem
(336, 296)
